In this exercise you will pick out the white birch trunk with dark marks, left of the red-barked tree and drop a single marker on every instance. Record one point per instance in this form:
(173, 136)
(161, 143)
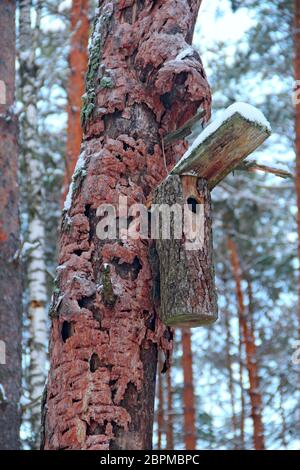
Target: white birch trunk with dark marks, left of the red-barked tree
(36, 265)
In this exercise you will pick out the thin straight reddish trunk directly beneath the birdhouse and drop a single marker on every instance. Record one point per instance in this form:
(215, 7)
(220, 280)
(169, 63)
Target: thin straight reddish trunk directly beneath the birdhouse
(190, 437)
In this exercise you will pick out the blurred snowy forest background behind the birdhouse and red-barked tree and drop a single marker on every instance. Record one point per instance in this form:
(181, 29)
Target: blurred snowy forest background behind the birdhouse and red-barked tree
(247, 50)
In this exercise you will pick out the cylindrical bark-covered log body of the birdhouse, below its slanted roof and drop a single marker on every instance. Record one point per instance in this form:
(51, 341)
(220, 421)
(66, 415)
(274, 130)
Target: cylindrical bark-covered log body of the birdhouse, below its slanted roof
(187, 286)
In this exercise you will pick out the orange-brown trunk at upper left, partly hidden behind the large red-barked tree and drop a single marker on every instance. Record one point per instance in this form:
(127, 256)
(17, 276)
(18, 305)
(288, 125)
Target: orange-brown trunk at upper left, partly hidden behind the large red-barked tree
(78, 61)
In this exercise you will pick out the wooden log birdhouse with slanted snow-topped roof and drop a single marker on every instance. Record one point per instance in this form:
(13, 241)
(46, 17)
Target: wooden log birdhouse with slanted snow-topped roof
(187, 286)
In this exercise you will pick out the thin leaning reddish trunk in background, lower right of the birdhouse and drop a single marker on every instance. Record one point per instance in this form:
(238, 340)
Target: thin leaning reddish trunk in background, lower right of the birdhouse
(251, 353)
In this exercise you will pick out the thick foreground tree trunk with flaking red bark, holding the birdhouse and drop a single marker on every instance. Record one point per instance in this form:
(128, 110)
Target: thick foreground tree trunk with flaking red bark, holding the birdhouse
(105, 329)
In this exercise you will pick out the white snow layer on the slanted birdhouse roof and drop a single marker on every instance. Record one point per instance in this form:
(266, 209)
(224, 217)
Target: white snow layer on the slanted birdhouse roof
(249, 112)
